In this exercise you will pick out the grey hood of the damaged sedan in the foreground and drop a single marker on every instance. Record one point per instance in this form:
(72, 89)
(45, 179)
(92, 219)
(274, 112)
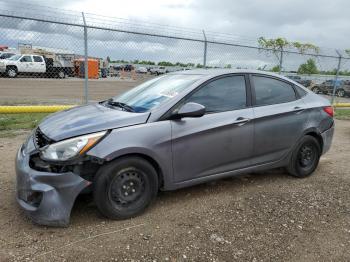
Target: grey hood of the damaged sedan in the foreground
(88, 119)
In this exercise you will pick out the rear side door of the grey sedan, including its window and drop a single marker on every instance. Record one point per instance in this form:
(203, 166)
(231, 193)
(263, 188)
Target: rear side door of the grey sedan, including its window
(279, 118)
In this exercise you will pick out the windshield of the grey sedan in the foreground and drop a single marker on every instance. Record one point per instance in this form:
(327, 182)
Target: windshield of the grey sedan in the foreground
(156, 91)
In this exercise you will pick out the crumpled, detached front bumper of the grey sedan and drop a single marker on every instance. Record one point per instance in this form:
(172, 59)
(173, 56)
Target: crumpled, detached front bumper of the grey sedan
(47, 198)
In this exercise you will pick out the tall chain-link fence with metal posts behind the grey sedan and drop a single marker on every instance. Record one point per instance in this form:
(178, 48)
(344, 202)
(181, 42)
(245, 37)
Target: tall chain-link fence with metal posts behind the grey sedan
(67, 57)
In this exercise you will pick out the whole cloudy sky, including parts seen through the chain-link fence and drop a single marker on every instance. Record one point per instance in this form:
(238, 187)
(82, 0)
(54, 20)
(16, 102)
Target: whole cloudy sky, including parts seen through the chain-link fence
(323, 23)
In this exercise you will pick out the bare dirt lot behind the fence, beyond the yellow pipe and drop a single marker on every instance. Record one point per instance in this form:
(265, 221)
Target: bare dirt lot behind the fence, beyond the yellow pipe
(67, 91)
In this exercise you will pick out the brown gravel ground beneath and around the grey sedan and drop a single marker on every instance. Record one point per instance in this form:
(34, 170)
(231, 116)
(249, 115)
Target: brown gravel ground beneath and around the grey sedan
(257, 217)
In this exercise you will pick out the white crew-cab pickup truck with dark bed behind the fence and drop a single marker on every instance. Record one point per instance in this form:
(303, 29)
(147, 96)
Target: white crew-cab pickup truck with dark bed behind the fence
(31, 65)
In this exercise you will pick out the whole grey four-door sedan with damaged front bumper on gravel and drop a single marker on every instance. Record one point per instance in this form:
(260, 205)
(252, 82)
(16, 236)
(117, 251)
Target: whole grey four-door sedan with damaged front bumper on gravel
(173, 131)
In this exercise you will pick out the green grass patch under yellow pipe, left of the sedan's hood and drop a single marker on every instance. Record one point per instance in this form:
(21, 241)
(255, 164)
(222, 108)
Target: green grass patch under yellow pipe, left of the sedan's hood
(9, 123)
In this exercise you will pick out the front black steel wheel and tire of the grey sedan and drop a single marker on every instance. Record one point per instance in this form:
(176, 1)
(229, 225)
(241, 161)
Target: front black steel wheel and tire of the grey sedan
(125, 187)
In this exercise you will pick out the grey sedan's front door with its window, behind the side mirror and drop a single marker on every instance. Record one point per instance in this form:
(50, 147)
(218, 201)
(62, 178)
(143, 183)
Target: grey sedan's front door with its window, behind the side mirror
(219, 141)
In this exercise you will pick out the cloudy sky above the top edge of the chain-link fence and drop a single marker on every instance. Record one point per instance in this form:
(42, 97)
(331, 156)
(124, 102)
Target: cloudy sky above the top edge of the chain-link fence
(322, 22)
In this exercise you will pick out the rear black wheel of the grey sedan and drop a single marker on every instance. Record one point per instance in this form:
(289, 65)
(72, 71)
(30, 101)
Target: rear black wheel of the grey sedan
(305, 157)
